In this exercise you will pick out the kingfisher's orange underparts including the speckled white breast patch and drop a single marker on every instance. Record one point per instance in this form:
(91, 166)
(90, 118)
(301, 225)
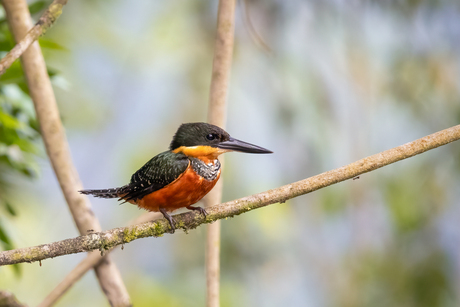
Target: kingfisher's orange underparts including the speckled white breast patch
(197, 180)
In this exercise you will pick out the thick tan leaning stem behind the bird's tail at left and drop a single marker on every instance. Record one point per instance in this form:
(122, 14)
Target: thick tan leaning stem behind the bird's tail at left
(57, 148)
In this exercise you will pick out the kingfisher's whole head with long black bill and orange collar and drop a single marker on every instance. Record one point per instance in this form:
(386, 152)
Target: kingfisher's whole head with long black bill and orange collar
(201, 139)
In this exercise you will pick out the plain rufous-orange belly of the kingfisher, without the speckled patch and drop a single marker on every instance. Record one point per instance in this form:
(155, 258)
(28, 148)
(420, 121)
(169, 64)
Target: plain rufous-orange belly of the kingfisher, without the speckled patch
(184, 191)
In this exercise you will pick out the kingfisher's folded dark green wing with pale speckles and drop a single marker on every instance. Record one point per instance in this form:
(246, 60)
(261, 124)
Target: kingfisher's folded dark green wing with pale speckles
(160, 171)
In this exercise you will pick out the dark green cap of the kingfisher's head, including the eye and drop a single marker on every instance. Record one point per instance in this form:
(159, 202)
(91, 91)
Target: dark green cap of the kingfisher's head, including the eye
(195, 134)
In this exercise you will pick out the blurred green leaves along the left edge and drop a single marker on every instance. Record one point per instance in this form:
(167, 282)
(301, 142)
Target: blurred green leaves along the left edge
(19, 129)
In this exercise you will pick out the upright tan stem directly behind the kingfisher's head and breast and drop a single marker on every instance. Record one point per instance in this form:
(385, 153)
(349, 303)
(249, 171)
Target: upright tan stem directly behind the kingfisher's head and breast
(223, 51)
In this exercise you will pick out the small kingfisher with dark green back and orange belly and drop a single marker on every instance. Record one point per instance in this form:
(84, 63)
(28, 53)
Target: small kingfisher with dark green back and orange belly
(182, 175)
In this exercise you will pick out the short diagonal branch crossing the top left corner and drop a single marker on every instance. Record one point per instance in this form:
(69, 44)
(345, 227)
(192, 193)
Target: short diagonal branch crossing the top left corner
(44, 23)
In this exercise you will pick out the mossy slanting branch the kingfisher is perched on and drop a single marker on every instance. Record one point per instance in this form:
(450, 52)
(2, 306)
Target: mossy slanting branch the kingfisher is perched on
(190, 220)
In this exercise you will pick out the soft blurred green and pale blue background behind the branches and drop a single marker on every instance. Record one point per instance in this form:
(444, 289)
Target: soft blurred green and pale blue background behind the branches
(341, 80)
